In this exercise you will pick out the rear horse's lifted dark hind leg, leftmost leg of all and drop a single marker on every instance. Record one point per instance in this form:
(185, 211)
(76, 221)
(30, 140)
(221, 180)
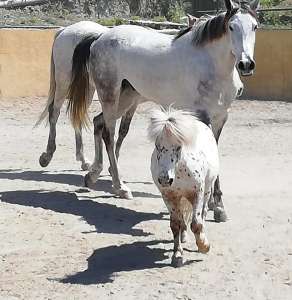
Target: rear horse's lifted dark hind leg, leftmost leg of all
(54, 112)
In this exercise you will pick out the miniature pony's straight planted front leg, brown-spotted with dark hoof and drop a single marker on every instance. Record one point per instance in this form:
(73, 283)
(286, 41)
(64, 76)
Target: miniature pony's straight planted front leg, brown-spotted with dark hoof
(175, 225)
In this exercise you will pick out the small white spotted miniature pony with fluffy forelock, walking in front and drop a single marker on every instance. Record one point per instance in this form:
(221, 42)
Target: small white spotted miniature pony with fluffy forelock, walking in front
(184, 167)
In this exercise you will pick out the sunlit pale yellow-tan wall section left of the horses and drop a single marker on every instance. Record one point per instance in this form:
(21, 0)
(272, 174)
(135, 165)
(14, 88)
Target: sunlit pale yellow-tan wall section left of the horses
(25, 62)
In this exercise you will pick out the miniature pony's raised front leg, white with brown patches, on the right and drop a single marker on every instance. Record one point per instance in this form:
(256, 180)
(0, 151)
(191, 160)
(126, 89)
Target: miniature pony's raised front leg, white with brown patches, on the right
(197, 224)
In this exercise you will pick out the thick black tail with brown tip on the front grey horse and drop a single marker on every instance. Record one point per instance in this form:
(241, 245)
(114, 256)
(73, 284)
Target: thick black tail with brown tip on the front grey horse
(79, 86)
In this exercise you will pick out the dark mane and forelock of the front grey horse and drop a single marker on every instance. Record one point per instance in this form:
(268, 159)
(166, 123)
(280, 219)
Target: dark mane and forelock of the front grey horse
(210, 28)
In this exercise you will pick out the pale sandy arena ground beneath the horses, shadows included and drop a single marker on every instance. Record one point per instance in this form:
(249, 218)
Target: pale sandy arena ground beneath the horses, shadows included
(59, 241)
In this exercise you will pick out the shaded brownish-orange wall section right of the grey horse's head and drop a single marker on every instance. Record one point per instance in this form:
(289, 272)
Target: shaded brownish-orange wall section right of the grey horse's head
(272, 79)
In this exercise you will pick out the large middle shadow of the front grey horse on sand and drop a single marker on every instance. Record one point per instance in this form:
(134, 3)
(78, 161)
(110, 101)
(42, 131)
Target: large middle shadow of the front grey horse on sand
(106, 218)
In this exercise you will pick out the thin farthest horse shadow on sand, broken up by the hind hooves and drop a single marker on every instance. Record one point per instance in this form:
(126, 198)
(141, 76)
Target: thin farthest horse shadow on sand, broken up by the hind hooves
(102, 184)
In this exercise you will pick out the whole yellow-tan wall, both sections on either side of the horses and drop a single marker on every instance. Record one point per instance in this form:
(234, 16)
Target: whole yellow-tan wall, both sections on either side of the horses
(25, 63)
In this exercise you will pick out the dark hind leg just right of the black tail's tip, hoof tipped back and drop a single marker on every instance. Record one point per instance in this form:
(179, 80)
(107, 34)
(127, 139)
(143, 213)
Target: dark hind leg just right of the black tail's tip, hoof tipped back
(97, 166)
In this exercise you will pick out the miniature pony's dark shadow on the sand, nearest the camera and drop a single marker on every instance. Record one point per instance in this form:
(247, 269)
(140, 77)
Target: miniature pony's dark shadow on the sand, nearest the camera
(105, 262)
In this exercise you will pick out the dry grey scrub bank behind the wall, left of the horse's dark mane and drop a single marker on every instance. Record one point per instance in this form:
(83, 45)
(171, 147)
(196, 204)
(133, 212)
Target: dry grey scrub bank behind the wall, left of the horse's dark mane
(107, 12)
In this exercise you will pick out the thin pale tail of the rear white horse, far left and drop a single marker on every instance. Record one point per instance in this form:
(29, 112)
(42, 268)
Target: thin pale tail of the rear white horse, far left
(52, 90)
